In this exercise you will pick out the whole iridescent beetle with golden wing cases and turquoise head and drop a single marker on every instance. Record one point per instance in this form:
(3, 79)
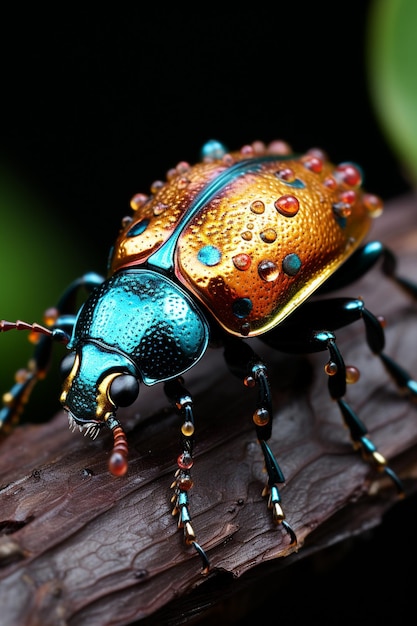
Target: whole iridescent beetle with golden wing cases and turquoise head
(225, 250)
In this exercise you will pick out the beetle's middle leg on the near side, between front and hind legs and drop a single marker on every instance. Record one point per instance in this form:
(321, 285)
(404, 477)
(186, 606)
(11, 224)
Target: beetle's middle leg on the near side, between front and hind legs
(245, 364)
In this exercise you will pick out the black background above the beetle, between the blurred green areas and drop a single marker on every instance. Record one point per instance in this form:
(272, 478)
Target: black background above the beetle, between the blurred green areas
(97, 104)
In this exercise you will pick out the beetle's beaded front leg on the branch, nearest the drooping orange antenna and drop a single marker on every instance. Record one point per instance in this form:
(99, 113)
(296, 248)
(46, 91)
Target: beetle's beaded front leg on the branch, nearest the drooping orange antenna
(177, 393)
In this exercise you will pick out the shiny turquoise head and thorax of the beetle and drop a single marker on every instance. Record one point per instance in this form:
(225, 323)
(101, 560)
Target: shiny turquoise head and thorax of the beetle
(138, 326)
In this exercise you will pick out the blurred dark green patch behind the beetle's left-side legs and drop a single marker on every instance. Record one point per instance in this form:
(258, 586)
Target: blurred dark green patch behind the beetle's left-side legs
(40, 253)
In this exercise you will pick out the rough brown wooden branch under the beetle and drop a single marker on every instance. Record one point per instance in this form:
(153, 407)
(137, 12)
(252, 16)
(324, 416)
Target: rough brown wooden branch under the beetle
(78, 546)
